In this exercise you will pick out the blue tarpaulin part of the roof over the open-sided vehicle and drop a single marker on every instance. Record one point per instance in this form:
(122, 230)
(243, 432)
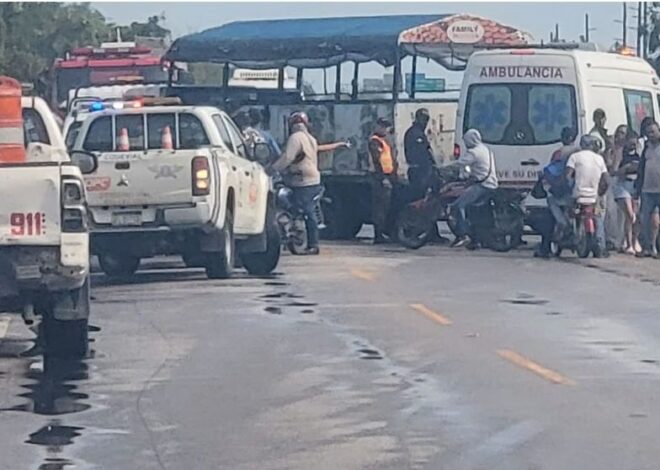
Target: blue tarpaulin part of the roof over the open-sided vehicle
(319, 42)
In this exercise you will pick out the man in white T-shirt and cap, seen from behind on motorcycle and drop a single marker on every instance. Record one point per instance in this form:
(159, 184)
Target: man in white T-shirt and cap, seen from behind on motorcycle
(589, 171)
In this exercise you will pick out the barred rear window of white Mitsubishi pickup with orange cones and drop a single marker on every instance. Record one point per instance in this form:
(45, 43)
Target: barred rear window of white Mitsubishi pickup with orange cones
(187, 132)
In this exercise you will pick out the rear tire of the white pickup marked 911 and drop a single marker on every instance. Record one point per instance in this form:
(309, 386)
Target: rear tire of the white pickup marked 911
(67, 339)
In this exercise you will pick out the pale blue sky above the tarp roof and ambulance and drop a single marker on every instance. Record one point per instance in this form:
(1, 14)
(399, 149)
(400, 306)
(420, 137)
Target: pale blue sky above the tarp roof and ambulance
(537, 18)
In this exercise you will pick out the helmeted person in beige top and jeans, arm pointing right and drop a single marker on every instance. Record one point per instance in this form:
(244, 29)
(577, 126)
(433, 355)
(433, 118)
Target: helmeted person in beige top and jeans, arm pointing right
(300, 160)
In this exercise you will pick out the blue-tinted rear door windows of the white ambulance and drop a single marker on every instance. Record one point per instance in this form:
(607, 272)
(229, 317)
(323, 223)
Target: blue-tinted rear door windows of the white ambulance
(520, 114)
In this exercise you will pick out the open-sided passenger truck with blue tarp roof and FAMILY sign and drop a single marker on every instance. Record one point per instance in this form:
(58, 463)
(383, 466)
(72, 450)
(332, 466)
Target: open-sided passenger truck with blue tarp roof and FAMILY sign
(339, 51)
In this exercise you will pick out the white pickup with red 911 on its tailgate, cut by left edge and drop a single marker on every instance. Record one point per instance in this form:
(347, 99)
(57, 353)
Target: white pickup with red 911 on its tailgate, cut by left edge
(44, 241)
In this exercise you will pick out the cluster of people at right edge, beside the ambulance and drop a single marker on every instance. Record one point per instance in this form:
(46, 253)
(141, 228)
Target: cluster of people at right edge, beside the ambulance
(619, 173)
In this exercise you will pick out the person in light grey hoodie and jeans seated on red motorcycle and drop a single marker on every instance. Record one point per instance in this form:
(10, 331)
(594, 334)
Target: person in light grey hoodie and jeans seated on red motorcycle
(478, 164)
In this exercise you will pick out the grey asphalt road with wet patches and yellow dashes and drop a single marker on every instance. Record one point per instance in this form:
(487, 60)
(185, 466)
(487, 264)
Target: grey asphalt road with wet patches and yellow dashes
(364, 357)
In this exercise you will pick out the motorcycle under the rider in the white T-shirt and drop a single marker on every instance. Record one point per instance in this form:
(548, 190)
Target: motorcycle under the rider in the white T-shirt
(580, 235)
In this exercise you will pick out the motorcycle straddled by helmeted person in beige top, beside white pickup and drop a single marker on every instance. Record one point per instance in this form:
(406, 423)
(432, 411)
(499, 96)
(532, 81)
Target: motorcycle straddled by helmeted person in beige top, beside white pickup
(291, 220)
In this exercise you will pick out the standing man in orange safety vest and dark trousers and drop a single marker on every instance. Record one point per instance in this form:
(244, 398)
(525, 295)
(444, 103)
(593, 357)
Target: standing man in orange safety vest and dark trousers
(385, 168)
